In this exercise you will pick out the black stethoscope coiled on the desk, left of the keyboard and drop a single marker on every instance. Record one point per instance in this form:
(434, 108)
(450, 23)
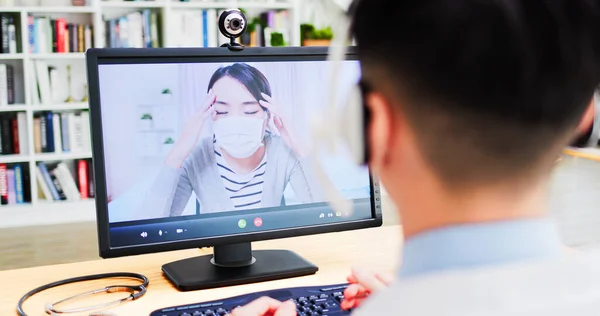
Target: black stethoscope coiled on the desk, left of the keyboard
(135, 292)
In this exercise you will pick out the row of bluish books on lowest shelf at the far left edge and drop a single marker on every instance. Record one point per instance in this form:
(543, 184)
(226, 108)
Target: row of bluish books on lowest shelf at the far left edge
(14, 184)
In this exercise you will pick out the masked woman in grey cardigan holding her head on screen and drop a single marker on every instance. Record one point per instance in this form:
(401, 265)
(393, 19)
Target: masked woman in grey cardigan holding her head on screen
(243, 165)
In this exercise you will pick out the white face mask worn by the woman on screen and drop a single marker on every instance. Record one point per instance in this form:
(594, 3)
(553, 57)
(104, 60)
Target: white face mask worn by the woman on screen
(240, 136)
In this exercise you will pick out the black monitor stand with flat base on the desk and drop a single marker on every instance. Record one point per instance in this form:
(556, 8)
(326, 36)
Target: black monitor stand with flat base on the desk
(236, 264)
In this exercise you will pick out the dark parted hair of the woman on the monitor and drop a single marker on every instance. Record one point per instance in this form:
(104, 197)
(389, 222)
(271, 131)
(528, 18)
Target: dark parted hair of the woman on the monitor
(250, 77)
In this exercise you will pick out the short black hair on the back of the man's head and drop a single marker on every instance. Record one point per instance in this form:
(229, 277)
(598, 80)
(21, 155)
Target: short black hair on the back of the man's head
(492, 88)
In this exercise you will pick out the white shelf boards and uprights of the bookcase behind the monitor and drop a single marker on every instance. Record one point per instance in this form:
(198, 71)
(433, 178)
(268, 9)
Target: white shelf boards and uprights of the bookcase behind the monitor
(42, 212)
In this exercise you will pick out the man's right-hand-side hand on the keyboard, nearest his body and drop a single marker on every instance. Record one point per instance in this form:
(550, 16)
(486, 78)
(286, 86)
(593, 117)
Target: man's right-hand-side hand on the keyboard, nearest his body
(363, 284)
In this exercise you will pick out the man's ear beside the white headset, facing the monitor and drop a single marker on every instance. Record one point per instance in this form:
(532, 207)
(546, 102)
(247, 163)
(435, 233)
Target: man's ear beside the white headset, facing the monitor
(379, 129)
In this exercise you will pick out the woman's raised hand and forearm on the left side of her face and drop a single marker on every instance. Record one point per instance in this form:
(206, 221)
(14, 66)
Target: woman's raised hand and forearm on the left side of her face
(191, 132)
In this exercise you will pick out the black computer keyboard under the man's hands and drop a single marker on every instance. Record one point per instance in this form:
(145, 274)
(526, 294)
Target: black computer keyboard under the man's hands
(311, 301)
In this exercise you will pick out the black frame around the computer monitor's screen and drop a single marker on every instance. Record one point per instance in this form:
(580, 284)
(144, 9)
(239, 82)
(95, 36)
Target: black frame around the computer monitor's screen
(96, 57)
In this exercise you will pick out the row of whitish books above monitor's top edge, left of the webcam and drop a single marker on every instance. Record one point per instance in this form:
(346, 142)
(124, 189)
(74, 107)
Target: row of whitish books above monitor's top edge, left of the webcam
(135, 30)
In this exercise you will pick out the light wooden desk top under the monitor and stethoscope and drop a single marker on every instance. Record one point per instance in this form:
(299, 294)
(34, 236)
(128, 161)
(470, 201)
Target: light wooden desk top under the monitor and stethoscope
(335, 254)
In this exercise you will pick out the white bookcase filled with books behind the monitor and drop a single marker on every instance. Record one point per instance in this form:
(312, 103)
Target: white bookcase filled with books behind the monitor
(95, 13)
